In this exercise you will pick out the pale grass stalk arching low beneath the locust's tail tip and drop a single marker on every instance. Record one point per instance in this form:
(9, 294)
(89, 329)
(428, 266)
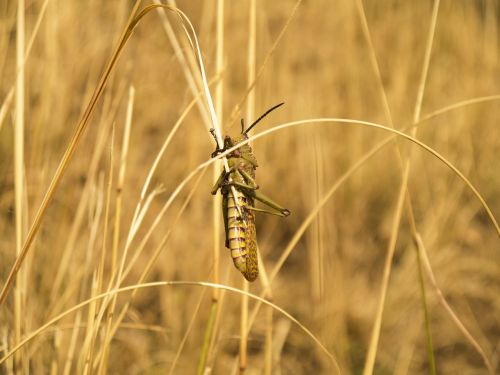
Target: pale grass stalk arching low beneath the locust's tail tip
(130, 288)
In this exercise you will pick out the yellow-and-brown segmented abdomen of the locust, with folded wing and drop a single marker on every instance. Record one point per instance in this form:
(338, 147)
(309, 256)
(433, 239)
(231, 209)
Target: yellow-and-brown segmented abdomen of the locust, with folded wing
(241, 235)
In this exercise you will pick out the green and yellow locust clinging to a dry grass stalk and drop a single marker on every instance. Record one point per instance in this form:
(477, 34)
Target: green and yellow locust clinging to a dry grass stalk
(238, 204)
